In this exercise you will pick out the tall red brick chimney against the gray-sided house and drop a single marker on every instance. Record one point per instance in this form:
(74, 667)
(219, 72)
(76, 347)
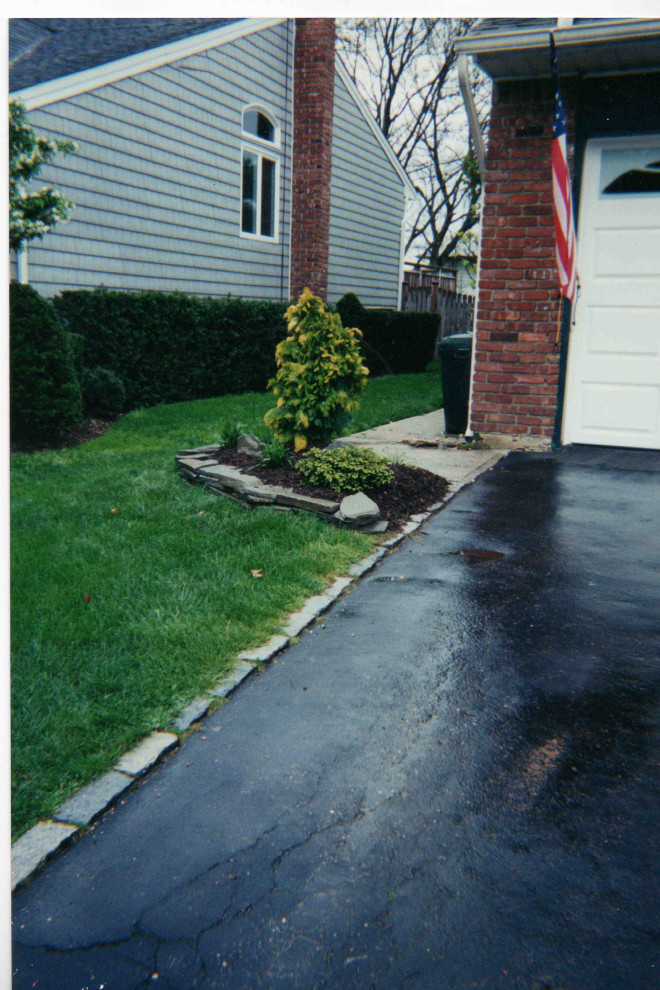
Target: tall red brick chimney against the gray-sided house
(313, 93)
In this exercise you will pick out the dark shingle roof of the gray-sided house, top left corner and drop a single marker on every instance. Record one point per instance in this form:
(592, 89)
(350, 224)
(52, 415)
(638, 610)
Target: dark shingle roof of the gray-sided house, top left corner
(46, 48)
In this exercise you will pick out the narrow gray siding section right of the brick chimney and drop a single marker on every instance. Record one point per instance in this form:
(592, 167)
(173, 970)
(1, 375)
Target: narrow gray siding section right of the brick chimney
(367, 201)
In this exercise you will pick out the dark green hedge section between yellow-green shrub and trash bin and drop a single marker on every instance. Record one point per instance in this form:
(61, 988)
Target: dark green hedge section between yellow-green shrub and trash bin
(393, 342)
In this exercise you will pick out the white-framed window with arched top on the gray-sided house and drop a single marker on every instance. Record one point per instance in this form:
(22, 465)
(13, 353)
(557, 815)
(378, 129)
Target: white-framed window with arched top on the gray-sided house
(260, 171)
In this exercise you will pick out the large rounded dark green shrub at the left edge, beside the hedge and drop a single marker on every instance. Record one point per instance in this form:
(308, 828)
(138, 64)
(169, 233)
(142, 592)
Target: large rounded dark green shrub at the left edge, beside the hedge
(44, 390)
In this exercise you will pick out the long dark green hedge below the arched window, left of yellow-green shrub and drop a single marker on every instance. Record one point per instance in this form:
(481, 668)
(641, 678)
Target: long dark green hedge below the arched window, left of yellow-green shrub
(171, 347)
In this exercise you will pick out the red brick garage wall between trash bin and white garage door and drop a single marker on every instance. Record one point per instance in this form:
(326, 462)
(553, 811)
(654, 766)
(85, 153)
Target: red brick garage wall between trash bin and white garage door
(516, 361)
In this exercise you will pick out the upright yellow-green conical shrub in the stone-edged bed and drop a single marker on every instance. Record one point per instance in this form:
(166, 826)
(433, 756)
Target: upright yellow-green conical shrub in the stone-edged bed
(319, 375)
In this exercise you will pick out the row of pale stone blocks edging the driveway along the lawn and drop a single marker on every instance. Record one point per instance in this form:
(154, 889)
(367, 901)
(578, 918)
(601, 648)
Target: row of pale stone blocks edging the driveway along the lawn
(44, 839)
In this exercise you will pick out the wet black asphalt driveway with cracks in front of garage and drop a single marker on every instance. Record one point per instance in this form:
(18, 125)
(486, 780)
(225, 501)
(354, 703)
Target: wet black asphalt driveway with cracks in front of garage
(451, 782)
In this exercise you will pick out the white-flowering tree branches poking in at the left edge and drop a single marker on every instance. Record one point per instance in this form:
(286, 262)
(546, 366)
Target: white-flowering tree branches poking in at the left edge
(32, 213)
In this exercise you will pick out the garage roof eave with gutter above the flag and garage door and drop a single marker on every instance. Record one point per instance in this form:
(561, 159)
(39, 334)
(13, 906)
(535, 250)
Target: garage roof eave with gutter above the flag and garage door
(517, 48)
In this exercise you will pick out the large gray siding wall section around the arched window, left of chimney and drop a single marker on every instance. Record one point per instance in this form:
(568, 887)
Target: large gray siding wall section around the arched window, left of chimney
(156, 180)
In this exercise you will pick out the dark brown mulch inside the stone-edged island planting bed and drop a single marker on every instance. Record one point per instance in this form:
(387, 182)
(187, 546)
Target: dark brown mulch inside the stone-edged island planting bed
(413, 489)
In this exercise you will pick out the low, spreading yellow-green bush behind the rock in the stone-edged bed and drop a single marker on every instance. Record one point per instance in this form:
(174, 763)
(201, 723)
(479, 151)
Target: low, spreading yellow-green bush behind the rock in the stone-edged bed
(346, 469)
